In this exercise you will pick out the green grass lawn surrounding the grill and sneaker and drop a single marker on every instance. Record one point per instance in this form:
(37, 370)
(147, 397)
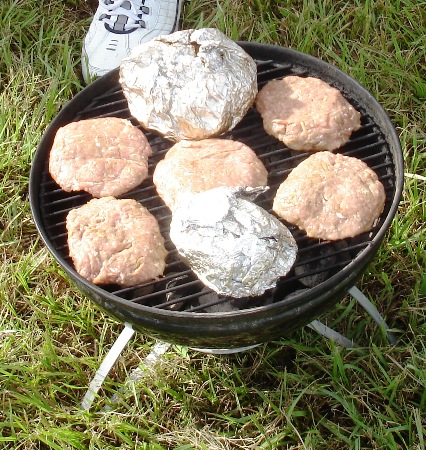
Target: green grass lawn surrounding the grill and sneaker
(302, 392)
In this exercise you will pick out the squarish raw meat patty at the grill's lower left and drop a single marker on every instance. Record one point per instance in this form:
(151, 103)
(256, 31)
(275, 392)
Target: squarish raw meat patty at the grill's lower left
(115, 241)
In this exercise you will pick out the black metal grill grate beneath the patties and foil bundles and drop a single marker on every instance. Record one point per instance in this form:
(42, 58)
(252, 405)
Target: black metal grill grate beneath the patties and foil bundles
(180, 289)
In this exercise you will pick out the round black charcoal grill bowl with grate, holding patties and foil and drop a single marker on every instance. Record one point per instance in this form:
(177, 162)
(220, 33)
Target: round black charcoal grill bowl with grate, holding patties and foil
(178, 308)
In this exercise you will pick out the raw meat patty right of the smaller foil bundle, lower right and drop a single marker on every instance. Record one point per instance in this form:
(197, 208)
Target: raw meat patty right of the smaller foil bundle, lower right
(331, 196)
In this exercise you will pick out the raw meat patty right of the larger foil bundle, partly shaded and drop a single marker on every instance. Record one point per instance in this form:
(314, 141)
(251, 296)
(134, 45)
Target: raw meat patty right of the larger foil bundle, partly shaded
(306, 113)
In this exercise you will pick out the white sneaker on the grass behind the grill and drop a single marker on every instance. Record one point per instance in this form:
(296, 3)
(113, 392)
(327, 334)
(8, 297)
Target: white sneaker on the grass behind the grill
(118, 26)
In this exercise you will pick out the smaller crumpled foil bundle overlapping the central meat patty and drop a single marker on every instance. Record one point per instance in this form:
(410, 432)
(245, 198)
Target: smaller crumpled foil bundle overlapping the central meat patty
(234, 246)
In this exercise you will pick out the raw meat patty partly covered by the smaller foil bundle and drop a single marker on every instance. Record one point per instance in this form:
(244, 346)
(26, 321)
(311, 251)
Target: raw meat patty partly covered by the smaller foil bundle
(196, 166)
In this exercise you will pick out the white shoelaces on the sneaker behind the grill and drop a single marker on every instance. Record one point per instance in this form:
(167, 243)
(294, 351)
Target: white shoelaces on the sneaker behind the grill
(127, 14)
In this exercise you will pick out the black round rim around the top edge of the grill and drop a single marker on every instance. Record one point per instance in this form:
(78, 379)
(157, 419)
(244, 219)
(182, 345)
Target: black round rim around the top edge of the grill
(263, 52)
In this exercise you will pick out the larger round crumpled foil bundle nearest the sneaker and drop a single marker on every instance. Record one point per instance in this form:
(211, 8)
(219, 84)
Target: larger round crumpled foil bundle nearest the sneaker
(191, 84)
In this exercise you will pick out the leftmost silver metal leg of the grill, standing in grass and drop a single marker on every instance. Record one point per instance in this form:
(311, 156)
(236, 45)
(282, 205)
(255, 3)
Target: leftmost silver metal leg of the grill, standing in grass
(106, 365)
